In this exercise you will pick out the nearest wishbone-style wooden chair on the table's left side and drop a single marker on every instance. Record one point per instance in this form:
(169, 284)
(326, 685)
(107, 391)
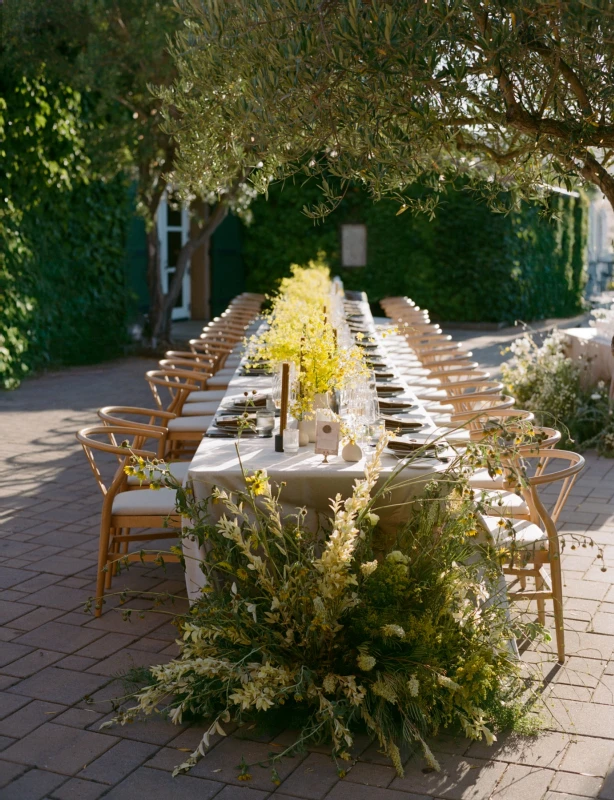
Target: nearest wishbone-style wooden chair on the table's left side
(122, 511)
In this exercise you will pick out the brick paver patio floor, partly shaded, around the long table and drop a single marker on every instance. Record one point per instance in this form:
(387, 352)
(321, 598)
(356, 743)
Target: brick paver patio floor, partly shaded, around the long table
(59, 667)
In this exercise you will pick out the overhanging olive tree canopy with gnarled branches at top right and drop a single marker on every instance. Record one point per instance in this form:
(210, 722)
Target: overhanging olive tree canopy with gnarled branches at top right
(386, 92)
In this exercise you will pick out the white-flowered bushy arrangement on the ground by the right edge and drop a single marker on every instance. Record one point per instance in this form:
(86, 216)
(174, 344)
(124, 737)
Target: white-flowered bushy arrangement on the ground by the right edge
(544, 380)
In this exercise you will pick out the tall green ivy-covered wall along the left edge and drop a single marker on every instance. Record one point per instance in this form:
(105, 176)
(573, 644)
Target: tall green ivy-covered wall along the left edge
(62, 236)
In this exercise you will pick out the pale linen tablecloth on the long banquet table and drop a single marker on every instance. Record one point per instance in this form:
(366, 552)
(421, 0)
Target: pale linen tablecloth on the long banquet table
(309, 483)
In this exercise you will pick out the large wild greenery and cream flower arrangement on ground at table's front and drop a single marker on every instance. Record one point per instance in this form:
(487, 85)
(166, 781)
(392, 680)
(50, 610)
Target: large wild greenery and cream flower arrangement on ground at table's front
(343, 629)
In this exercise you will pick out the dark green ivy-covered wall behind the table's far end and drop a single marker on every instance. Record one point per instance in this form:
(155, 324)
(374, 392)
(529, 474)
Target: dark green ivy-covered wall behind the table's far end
(468, 264)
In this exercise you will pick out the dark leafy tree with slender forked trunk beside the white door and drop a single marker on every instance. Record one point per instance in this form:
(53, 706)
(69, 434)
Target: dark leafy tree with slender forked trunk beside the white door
(114, 52)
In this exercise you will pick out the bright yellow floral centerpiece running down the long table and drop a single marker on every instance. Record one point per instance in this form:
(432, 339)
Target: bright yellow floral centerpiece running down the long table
(301, 333)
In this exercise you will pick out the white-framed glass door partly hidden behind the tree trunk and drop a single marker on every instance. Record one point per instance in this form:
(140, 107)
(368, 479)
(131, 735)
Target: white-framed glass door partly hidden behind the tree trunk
(173, 232)
